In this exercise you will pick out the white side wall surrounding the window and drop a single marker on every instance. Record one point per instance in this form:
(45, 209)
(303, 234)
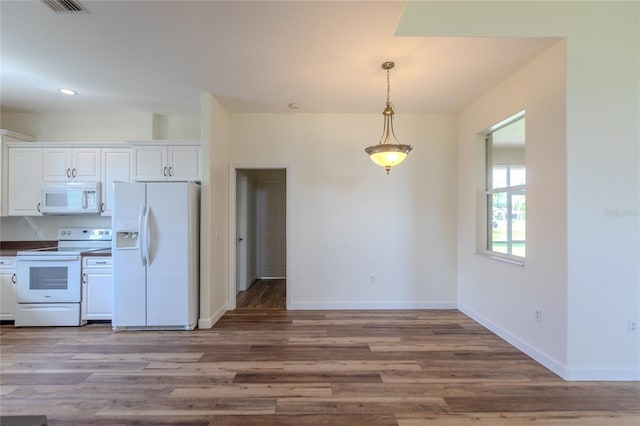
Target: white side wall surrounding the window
(501, 295)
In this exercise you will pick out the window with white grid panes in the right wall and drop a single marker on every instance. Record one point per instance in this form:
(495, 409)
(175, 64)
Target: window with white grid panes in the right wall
(505, 188)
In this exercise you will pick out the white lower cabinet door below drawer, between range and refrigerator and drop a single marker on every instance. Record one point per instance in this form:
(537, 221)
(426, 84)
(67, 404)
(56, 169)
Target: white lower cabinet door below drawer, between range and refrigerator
(97, 295)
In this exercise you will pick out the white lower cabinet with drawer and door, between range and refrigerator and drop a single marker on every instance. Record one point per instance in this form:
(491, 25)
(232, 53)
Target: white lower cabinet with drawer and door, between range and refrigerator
(97, 288)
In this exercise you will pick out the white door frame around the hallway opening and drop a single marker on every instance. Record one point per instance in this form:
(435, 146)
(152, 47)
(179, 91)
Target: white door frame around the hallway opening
(233, 170)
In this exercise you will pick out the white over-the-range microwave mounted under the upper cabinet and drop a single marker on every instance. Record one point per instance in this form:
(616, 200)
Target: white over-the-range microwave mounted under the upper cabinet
(70, 197)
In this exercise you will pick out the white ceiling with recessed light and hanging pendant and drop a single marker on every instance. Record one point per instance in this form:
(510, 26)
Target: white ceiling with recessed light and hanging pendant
(254, 56)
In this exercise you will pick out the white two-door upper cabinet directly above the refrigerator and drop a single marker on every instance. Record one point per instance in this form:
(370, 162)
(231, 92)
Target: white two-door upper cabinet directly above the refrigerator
(157, 161)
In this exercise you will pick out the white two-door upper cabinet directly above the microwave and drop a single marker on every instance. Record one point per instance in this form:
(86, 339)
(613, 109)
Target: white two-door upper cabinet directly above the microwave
(71, 164)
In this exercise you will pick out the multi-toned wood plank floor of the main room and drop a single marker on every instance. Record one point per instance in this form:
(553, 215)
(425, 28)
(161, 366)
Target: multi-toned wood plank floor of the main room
(273, 367)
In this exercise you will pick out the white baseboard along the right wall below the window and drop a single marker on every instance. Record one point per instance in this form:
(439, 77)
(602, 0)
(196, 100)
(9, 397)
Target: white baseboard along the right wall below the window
(567, 373)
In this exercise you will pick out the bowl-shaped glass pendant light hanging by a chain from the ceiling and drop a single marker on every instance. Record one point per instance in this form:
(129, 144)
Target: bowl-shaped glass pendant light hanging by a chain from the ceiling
(389, 151)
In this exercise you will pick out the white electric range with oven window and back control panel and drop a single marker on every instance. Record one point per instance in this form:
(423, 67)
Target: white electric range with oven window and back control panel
(48, 280)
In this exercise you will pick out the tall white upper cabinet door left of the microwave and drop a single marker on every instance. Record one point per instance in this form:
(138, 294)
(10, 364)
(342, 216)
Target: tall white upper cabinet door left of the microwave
(25, 178)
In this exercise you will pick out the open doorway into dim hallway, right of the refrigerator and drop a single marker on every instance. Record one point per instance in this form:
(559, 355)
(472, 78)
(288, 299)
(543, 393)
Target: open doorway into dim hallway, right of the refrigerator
(261, 238)
